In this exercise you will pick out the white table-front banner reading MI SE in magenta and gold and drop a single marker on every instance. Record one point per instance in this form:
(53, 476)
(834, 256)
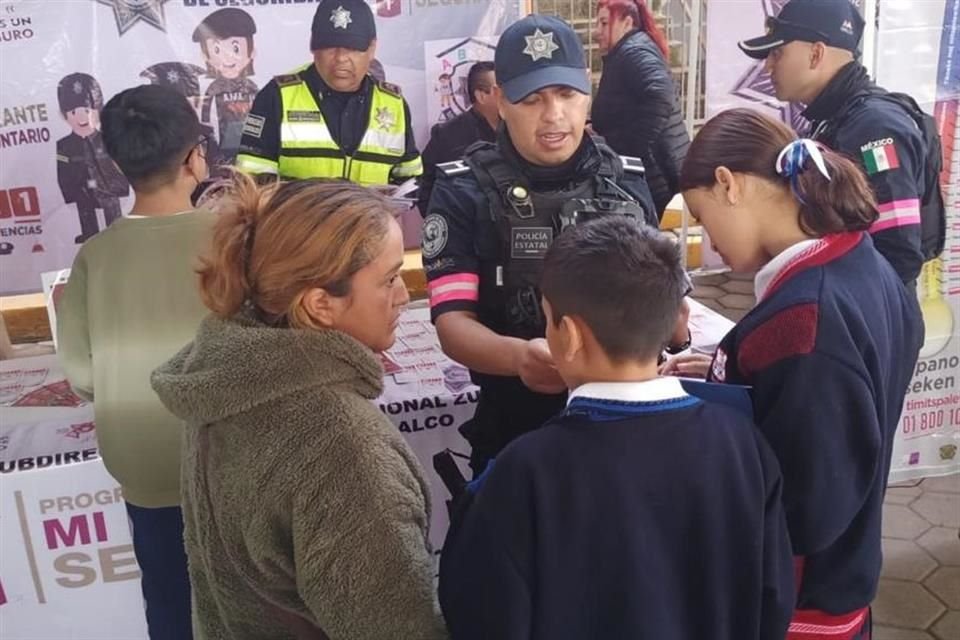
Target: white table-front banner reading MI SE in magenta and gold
(67, 567)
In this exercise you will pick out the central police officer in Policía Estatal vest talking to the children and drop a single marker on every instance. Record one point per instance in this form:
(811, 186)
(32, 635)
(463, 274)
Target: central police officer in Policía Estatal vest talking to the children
(493, 215)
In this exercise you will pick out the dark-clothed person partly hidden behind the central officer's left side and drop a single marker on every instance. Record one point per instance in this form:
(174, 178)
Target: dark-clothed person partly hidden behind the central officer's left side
(448, 140)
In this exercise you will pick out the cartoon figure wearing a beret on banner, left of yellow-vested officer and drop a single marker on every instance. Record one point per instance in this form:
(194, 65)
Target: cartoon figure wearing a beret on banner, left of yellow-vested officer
(226, 41)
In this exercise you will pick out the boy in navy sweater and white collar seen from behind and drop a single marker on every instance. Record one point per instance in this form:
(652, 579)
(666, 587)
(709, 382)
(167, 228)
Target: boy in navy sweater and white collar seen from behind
(640, 511)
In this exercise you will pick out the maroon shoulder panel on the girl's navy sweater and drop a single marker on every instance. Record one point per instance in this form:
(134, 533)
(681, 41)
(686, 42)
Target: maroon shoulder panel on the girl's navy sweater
(790, 332)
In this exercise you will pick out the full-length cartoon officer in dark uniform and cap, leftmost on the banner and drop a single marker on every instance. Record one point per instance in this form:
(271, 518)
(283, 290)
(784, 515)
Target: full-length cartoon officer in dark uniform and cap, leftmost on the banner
(86, 174)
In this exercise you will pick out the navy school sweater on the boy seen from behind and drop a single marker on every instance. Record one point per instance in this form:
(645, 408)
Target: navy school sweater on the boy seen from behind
(640, 520)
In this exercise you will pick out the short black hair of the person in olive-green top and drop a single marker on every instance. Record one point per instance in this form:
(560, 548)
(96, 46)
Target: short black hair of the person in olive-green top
(148, 131)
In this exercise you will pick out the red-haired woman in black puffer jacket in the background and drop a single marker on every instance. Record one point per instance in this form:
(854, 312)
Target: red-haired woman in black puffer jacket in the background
(636, 108)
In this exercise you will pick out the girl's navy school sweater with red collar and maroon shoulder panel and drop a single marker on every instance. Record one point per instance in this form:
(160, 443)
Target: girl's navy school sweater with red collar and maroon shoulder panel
(829, 351)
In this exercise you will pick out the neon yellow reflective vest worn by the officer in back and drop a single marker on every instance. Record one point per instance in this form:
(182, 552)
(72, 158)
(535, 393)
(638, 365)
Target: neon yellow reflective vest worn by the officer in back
(307, 150)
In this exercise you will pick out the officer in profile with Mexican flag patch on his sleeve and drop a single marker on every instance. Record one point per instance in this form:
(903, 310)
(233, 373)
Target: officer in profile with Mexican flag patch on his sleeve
(810, 51)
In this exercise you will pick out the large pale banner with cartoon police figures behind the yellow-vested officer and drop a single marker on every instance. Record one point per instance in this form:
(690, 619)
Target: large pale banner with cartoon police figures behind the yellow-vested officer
(62, 59)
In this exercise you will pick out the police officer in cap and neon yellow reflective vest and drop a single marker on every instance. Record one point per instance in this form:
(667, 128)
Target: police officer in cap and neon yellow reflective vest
(331, 119)
